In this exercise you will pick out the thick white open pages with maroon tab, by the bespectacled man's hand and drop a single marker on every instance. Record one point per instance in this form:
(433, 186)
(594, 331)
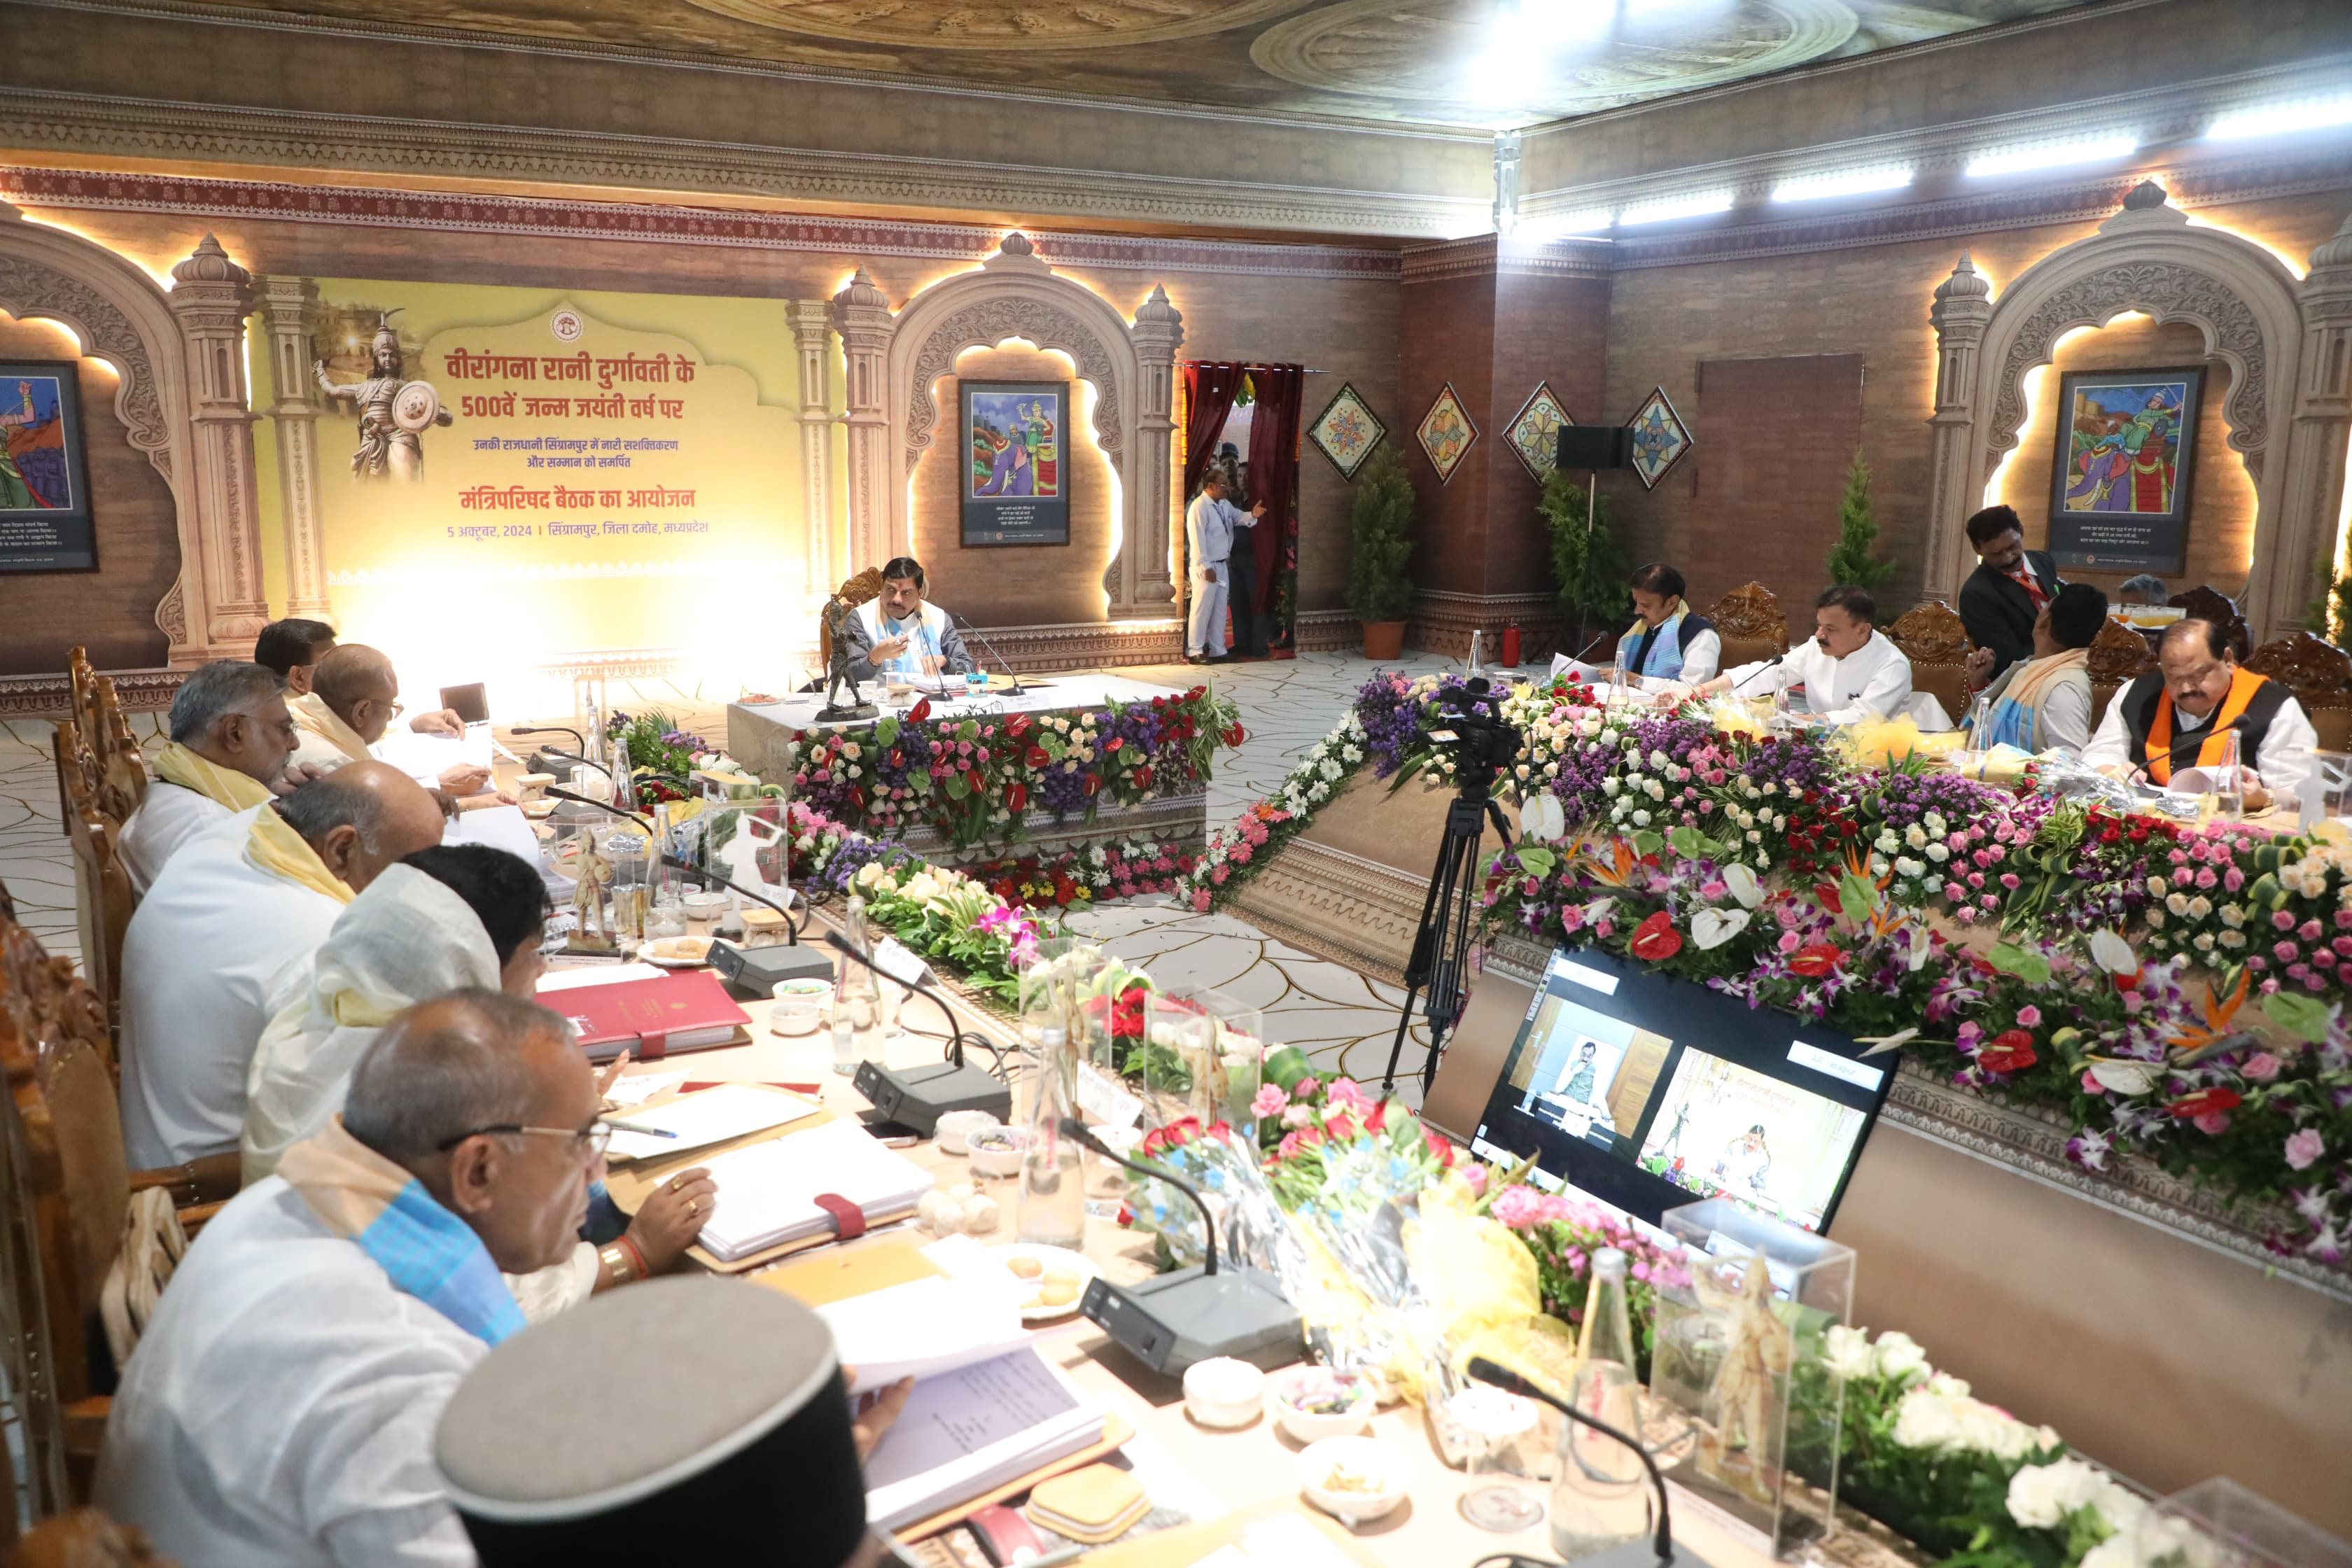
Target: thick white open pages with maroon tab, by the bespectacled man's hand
(768, 1193)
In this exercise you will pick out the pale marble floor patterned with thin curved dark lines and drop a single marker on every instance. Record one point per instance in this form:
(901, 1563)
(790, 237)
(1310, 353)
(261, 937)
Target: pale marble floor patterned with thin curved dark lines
(1335, 1014)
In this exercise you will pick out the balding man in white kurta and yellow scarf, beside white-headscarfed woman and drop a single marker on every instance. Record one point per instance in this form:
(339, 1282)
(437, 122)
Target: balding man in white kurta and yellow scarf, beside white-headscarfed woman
(211, 942)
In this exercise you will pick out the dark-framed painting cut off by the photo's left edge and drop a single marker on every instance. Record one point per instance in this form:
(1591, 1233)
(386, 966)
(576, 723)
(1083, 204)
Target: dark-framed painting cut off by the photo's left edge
(44, 469)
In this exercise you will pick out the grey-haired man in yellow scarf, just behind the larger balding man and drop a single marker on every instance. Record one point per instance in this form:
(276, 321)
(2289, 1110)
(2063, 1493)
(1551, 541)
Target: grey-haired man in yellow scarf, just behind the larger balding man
(232, 739)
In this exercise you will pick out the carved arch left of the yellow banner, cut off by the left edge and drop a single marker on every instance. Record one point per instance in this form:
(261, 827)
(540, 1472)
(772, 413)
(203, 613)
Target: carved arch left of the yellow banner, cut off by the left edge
(182, 403)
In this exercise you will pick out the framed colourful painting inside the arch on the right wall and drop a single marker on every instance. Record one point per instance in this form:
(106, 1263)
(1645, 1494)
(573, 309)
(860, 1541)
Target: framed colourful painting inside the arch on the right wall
(2123, 467)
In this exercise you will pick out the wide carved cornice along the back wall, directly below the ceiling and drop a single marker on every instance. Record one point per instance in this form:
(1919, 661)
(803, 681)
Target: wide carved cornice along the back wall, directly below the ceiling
(163, 133)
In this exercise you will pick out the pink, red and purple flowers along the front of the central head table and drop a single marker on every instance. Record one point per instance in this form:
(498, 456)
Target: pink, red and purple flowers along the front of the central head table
(975, 779)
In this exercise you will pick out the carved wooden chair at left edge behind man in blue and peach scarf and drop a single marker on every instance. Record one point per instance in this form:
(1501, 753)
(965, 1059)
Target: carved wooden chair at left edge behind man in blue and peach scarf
(72, 1188)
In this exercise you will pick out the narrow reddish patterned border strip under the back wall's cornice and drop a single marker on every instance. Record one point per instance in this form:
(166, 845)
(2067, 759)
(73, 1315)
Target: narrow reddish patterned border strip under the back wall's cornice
(662, 225)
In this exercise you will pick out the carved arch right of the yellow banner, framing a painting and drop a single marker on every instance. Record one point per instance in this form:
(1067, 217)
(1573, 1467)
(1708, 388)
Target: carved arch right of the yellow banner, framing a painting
(897, 359)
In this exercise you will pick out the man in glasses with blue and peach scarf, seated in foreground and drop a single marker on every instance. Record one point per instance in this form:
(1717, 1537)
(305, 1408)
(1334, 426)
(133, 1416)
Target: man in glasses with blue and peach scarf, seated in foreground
(281, 1402)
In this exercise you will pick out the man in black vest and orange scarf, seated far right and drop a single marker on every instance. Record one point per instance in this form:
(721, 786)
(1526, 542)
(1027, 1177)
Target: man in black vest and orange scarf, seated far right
(2177, 718)
